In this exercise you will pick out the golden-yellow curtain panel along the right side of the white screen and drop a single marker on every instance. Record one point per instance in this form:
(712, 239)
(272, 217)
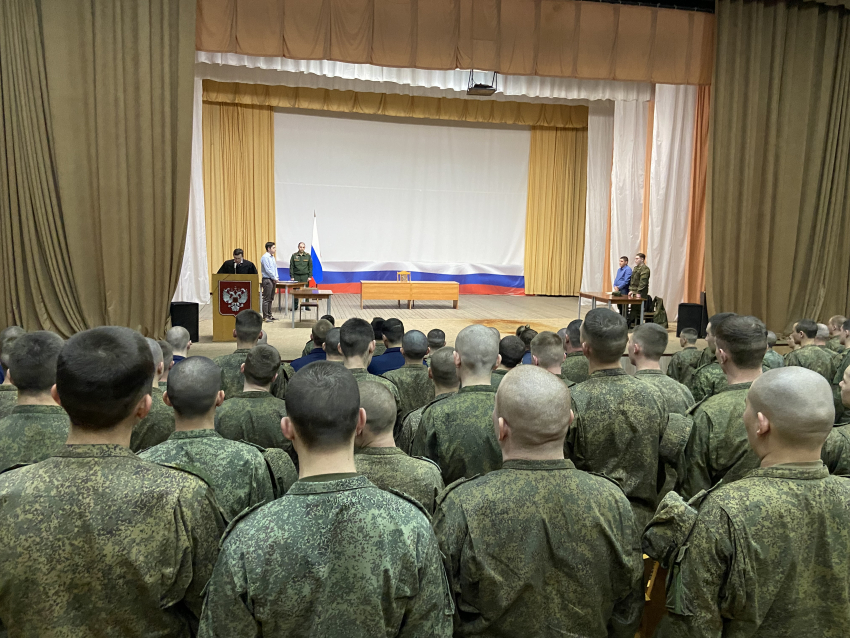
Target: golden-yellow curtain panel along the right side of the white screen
(555, 216)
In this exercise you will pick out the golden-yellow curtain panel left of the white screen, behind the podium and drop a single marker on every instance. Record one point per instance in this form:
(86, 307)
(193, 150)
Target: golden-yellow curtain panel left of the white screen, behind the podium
(238, 180)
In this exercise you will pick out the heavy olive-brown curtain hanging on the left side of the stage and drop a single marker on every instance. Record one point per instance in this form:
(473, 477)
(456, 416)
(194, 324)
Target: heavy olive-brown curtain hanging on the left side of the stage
(97, 141)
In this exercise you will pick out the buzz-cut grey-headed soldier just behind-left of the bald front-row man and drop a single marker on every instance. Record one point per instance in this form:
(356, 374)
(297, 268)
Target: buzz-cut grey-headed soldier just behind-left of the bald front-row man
(457, 433)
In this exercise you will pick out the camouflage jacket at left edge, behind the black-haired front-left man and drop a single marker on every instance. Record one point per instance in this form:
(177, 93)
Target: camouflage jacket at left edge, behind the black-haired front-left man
(31, 434)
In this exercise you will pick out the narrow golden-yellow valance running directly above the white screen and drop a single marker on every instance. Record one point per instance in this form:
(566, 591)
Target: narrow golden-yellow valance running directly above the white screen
(489, 111)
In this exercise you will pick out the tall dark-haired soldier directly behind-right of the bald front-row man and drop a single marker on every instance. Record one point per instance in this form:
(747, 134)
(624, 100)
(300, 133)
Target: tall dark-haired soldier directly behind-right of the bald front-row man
(619, 420)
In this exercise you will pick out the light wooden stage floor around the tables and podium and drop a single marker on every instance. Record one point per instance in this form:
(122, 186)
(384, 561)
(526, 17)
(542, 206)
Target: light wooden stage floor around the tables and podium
(503, 312)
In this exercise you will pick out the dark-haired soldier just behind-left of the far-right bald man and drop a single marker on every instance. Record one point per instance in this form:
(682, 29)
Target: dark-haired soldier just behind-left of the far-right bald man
(717, 447)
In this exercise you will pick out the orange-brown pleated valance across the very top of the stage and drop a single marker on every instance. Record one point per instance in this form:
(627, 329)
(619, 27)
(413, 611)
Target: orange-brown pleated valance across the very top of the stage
(559, 38)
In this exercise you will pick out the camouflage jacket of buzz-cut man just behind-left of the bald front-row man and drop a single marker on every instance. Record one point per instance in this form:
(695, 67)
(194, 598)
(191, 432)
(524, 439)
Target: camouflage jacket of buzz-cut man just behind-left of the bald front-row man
(457, 434)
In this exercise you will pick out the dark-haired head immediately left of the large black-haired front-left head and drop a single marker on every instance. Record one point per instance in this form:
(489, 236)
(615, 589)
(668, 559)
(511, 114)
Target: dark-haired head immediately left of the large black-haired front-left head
(32, 361)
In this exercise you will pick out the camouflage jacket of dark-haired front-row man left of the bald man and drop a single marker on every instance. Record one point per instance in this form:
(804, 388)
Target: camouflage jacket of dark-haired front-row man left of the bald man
(336, 556)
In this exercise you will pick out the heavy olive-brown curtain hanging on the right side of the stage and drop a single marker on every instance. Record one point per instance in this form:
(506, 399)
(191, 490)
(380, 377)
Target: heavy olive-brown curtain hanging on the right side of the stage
(778, 213)
